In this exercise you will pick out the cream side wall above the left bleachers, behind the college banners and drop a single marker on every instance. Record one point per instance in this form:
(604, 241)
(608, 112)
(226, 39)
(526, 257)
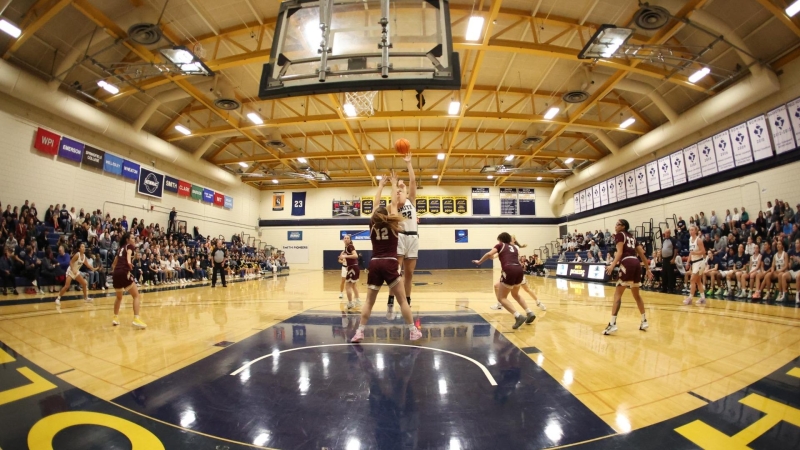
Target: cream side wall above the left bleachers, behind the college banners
(44, 180)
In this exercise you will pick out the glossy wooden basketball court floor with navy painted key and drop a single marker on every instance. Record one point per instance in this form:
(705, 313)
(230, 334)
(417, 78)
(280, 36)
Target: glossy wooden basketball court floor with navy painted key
(691, 372)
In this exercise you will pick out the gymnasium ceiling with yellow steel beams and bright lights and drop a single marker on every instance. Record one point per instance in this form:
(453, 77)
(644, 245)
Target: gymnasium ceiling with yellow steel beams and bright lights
(521, 66)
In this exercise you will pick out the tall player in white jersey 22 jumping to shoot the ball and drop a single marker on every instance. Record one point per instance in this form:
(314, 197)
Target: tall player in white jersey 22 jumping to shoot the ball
(408, 240)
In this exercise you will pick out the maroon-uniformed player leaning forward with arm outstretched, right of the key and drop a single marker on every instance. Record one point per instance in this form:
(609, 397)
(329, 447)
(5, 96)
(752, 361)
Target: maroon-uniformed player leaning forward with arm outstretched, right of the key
(511, 278)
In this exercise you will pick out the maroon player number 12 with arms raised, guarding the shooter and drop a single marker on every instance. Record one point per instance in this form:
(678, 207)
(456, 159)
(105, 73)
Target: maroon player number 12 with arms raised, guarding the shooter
(383, 230)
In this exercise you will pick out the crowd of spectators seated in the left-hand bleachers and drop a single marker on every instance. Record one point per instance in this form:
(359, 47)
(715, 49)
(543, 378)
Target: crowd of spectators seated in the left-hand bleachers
(37, 248)
